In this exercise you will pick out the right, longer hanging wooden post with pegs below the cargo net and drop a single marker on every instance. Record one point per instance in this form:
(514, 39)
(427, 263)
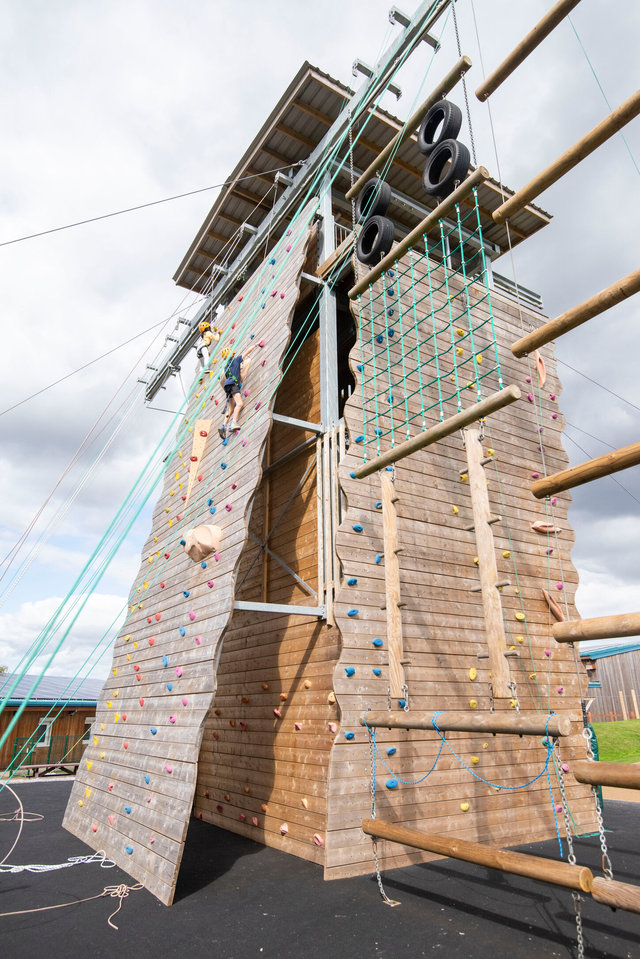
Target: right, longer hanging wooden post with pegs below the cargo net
(485, 549)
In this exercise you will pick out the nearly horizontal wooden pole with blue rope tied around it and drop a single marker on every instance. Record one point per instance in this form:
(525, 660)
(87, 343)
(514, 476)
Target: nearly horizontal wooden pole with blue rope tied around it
(510, 723)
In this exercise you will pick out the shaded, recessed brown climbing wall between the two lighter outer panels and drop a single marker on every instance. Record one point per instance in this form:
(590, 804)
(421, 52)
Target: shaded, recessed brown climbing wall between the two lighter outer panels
(266, 746)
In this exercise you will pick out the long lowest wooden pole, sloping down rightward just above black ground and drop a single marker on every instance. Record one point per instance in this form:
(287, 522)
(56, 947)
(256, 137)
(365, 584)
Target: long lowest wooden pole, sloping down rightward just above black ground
(517, 863)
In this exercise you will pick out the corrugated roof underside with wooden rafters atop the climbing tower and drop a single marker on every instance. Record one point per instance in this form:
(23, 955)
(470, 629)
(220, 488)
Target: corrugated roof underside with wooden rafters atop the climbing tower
(296, 125)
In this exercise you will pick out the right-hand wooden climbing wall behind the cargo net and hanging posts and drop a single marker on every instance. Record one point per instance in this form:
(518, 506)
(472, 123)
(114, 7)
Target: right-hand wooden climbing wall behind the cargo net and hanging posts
(442, 617)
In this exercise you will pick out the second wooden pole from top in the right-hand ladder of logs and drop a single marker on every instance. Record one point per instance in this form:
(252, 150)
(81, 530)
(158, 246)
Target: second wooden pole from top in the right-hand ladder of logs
(570, 158)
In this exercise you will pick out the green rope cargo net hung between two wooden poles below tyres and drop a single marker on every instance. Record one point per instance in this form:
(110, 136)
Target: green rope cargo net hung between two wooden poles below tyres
(426, 335)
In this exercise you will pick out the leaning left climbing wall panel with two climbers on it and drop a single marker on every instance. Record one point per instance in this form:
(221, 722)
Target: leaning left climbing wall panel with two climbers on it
(134, 791)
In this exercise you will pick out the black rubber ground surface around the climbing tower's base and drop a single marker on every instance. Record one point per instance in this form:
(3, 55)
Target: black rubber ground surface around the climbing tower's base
(237, 899)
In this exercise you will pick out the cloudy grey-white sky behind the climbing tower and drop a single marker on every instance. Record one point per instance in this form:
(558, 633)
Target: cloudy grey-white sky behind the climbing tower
(107, 106)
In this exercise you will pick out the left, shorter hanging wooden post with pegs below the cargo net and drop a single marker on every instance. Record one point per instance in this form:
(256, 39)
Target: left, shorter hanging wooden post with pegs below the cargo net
(392, 587)
